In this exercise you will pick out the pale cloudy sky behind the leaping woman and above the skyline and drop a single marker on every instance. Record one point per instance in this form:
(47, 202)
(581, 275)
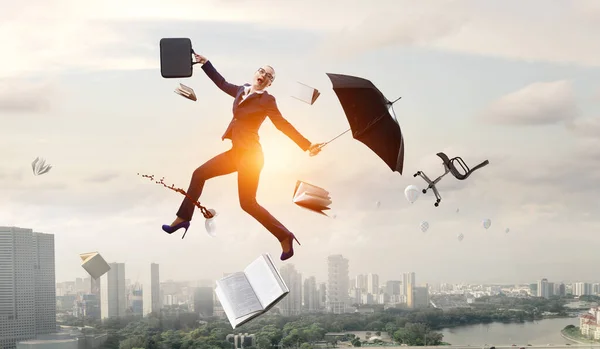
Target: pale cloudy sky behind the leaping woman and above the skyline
(515, 83)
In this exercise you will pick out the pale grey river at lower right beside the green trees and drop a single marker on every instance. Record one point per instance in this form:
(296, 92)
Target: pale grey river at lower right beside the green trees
(546, 331)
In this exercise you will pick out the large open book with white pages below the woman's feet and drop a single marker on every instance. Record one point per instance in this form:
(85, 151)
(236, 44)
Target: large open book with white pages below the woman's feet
(248, 294)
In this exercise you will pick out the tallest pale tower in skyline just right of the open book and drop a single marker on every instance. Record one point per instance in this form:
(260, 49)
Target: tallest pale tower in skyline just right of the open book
(337, 283)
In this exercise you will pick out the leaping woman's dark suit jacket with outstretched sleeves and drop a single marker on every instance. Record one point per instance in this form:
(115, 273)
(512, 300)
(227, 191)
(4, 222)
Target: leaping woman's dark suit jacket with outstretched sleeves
(249, 115)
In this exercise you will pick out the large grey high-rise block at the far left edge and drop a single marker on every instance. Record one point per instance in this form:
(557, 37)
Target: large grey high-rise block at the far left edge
(27, 285)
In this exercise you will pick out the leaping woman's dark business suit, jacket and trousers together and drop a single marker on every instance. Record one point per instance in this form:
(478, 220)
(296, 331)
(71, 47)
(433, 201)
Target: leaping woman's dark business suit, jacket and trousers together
(245, 156)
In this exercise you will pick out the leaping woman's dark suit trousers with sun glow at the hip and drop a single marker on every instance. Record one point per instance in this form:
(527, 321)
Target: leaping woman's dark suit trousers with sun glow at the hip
(248, 163)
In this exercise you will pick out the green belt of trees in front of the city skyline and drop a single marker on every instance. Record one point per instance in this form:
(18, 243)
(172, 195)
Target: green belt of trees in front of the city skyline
(181, 329)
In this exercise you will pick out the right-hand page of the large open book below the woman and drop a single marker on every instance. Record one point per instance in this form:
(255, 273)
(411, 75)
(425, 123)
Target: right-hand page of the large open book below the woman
(263, 281)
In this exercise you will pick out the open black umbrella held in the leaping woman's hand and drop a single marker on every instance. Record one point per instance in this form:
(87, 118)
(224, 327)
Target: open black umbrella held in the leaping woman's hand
(368, 113)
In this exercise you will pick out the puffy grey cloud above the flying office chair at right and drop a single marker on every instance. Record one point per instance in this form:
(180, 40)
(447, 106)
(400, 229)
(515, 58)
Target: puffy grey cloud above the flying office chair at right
(540, 103)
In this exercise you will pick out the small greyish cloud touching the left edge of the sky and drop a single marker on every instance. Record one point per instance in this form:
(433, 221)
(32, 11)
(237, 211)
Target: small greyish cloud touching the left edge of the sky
(22, 96)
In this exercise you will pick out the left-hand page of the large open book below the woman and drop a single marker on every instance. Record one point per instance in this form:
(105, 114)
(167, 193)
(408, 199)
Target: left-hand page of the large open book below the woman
(239, 293)
